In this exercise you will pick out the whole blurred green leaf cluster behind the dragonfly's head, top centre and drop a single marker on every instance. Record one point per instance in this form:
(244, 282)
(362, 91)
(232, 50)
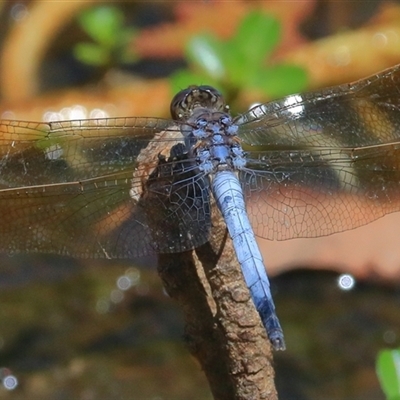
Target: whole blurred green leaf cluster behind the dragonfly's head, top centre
(239, 63)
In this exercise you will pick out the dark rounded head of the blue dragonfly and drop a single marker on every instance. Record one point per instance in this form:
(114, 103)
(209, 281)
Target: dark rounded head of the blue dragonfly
(186, 101)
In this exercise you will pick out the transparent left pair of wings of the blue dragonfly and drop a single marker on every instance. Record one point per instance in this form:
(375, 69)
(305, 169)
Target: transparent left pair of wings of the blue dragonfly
(82, 188)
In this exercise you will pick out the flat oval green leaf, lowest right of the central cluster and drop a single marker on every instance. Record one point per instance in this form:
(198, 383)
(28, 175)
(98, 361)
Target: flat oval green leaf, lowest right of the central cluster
(280, 80)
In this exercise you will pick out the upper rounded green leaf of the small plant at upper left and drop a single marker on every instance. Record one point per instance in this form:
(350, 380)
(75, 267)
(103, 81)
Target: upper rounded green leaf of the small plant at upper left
(102, 24)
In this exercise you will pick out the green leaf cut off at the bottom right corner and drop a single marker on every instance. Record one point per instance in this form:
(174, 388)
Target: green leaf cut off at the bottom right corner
(388, 371)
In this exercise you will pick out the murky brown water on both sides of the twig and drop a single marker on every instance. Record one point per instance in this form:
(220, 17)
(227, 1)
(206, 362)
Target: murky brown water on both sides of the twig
(107, 331)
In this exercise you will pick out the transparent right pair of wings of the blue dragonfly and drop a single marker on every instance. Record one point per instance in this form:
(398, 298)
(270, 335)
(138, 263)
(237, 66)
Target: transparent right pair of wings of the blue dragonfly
(326, 161)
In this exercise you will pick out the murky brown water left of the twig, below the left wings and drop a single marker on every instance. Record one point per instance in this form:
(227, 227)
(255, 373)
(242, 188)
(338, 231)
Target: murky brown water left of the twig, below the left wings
(87, 335)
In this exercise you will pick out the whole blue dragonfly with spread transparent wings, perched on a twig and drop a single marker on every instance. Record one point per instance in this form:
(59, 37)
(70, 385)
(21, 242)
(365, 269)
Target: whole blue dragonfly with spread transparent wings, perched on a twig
(132, 187)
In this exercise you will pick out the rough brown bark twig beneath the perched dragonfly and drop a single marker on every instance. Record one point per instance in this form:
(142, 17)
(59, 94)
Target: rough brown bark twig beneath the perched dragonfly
(223, 329)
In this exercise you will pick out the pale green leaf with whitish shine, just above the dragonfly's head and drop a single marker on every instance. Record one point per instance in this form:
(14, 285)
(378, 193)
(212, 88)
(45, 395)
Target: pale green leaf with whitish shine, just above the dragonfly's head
(206, 52)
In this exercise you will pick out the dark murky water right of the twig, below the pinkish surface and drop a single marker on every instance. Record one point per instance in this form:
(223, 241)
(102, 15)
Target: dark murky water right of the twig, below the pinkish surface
(333, 335)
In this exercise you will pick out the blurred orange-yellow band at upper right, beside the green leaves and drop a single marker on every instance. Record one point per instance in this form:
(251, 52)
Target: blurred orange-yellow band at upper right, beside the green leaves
(354, 54)
